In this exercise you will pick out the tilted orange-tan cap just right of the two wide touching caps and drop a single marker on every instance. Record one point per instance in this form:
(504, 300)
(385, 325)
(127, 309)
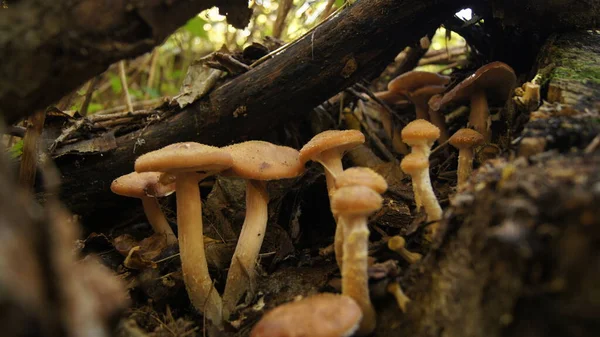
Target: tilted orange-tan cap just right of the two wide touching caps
(341, 140)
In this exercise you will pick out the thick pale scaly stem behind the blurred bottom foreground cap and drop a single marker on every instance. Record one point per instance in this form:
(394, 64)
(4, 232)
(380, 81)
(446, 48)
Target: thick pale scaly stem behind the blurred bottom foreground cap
(355, 281)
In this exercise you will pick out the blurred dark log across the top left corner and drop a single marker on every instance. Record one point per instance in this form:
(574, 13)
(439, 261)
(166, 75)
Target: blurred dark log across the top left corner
(48, 48)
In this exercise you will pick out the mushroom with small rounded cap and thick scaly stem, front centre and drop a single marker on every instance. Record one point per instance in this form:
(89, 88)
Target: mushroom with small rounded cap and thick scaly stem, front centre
(353, 204)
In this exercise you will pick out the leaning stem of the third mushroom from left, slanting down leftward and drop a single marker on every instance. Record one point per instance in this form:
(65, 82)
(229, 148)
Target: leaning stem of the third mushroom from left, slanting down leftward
(241, 275)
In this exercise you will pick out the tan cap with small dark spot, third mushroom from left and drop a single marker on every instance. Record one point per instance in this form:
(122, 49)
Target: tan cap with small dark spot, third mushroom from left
(260, 160)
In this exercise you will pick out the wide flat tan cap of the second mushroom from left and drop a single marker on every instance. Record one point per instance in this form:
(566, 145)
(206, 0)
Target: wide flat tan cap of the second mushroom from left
(185, 157)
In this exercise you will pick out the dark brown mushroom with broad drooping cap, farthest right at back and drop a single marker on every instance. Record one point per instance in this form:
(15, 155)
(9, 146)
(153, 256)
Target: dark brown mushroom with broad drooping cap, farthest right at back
(495, 80)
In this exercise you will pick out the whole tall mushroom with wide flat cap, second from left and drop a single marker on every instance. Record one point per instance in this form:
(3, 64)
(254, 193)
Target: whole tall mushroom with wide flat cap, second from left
(184, 160)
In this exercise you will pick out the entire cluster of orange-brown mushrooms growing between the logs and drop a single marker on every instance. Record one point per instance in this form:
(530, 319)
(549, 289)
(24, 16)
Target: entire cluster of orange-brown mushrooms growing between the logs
(355, 194)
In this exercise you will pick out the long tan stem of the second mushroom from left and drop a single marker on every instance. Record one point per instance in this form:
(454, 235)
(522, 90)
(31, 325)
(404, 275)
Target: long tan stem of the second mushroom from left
(199, 285)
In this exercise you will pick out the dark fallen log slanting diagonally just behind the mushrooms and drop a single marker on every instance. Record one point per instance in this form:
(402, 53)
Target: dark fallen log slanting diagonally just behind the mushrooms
(359, 41)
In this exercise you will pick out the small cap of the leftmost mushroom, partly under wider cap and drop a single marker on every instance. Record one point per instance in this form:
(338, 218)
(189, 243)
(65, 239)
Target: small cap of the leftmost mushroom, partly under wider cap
(141, 185)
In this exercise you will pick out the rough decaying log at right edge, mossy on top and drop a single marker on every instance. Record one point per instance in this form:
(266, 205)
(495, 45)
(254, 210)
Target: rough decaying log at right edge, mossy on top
(520, 254)
